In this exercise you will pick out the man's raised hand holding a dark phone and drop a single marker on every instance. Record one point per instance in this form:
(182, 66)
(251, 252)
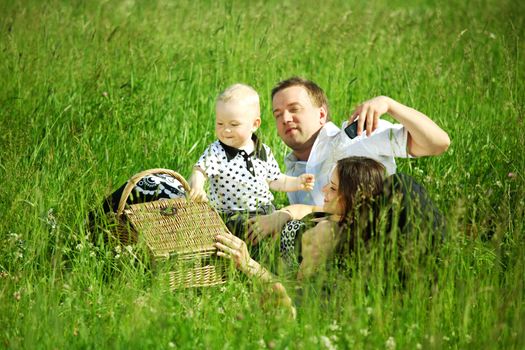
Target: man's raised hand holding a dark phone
(369, 113)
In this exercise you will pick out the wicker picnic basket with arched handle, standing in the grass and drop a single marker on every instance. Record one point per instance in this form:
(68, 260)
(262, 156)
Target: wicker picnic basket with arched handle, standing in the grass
(175, 230)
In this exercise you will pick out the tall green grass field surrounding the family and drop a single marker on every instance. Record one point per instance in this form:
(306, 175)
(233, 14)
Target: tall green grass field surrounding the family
(92, 92)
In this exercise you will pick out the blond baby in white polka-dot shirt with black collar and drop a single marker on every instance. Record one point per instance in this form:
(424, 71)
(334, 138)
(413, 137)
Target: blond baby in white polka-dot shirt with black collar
(240, 168)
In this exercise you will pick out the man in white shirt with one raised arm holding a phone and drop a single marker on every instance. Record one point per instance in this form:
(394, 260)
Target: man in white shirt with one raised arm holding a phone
(301, 113)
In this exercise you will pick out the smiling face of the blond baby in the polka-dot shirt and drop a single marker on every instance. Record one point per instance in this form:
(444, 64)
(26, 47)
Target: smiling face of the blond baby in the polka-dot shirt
(235, 123)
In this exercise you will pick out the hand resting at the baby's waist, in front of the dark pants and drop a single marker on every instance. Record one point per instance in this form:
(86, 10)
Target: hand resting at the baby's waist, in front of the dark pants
(260, 227)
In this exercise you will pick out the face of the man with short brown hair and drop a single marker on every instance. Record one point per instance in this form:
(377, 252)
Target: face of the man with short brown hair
(297, 119)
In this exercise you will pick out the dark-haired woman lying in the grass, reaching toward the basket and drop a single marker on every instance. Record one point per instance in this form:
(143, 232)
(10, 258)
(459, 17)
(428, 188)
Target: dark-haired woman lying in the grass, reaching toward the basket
(352, 211)
